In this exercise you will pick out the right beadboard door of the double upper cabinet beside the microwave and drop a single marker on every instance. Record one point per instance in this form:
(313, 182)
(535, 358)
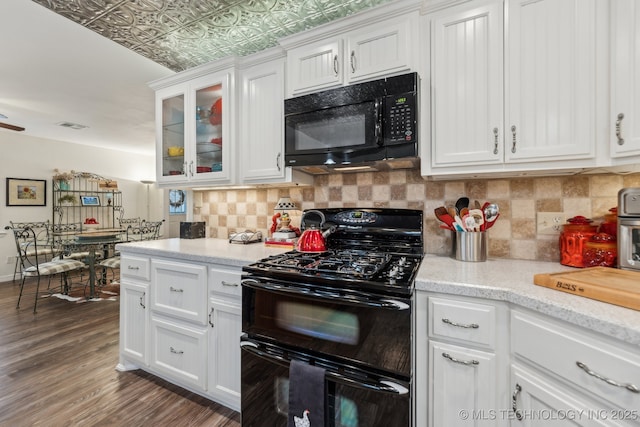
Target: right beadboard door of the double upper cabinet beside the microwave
(550, 80)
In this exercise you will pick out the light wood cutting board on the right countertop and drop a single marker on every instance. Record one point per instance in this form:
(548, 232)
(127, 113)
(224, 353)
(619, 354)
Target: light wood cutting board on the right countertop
(619, 287)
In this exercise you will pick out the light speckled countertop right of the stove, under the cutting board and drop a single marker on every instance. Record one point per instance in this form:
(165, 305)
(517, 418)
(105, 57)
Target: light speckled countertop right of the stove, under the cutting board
(512, 281)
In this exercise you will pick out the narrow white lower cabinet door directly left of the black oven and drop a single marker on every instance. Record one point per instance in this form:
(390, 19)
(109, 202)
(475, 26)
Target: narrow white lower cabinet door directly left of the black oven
(225, 321)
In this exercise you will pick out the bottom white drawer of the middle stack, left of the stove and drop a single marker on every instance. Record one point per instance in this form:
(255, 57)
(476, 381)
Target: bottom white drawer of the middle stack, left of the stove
(179, 352)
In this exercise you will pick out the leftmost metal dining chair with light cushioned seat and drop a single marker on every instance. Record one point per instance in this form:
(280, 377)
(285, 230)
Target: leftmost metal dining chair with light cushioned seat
(36, 265)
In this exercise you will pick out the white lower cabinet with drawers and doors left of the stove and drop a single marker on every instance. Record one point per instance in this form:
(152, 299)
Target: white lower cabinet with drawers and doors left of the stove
(182, 321)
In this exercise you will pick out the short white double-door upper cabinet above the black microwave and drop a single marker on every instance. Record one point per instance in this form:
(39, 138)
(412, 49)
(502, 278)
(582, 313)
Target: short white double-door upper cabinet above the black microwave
(354, 49)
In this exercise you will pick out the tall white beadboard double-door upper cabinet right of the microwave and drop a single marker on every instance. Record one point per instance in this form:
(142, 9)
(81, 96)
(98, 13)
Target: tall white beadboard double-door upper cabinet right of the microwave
(513, 87)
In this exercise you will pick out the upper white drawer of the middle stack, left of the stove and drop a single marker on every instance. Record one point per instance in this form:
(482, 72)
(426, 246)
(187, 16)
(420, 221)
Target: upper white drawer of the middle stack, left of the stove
(180, 290)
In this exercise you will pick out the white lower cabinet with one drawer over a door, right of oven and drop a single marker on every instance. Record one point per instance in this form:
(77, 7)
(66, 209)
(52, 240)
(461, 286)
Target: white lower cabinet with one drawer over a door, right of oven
(461, 368)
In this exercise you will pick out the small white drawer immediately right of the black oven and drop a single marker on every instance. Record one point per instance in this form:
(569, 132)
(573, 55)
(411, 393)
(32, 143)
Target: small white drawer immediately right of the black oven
(472, 323)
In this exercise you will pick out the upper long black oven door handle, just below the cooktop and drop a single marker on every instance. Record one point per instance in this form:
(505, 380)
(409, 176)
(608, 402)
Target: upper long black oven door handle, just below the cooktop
(361, 301)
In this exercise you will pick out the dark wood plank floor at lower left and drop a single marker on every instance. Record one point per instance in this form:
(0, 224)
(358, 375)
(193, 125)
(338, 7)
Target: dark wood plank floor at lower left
(57, 368)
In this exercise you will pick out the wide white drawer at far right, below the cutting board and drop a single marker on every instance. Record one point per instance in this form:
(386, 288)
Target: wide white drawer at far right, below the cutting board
(569, 353)
